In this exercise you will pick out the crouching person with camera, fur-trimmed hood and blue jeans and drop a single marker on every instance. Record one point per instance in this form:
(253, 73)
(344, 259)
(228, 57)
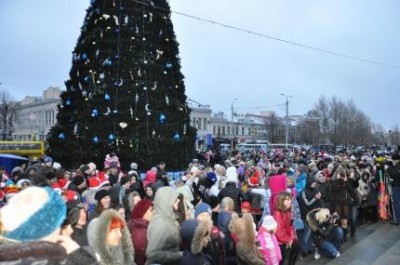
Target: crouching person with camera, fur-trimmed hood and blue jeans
(326, 233)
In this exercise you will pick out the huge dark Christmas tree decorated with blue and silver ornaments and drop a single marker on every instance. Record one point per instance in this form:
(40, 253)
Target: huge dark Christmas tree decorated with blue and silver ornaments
(126, 92)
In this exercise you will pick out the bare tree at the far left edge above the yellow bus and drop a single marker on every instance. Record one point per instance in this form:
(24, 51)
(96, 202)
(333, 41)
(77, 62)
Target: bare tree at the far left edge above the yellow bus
(8, 114)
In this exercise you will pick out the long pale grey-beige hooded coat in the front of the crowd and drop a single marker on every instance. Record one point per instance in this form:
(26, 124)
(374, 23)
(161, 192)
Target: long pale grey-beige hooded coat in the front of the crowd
(163, 231)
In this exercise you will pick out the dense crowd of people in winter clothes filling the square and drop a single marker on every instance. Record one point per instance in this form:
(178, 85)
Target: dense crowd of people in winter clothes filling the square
(253, 208)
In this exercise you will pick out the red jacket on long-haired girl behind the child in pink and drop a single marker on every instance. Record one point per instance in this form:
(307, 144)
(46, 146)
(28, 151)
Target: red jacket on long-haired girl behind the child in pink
(285, 231)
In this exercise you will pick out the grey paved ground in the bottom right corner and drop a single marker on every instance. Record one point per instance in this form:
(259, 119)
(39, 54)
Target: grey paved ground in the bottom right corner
(374, 244)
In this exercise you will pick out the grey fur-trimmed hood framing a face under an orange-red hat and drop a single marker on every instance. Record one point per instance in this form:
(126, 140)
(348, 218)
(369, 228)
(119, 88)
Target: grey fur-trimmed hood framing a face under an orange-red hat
(97, 236)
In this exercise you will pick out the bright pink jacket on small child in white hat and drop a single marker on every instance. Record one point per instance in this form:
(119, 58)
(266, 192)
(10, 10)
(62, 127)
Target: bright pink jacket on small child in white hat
(269, 247)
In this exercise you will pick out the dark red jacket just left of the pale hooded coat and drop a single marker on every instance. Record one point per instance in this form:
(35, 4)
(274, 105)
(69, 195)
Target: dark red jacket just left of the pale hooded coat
(138, 228)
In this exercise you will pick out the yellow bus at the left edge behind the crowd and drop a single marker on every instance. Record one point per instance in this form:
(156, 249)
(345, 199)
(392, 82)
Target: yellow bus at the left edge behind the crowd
(22, 148)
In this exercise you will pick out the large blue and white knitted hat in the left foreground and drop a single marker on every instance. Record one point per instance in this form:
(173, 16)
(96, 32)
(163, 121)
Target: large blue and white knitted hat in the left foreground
(33, 214)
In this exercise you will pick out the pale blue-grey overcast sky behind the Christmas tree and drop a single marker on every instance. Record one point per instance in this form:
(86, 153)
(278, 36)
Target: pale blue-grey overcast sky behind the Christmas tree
(221, 64)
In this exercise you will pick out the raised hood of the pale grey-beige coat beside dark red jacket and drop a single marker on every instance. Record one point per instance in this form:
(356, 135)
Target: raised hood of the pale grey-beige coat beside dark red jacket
(164, 201)
